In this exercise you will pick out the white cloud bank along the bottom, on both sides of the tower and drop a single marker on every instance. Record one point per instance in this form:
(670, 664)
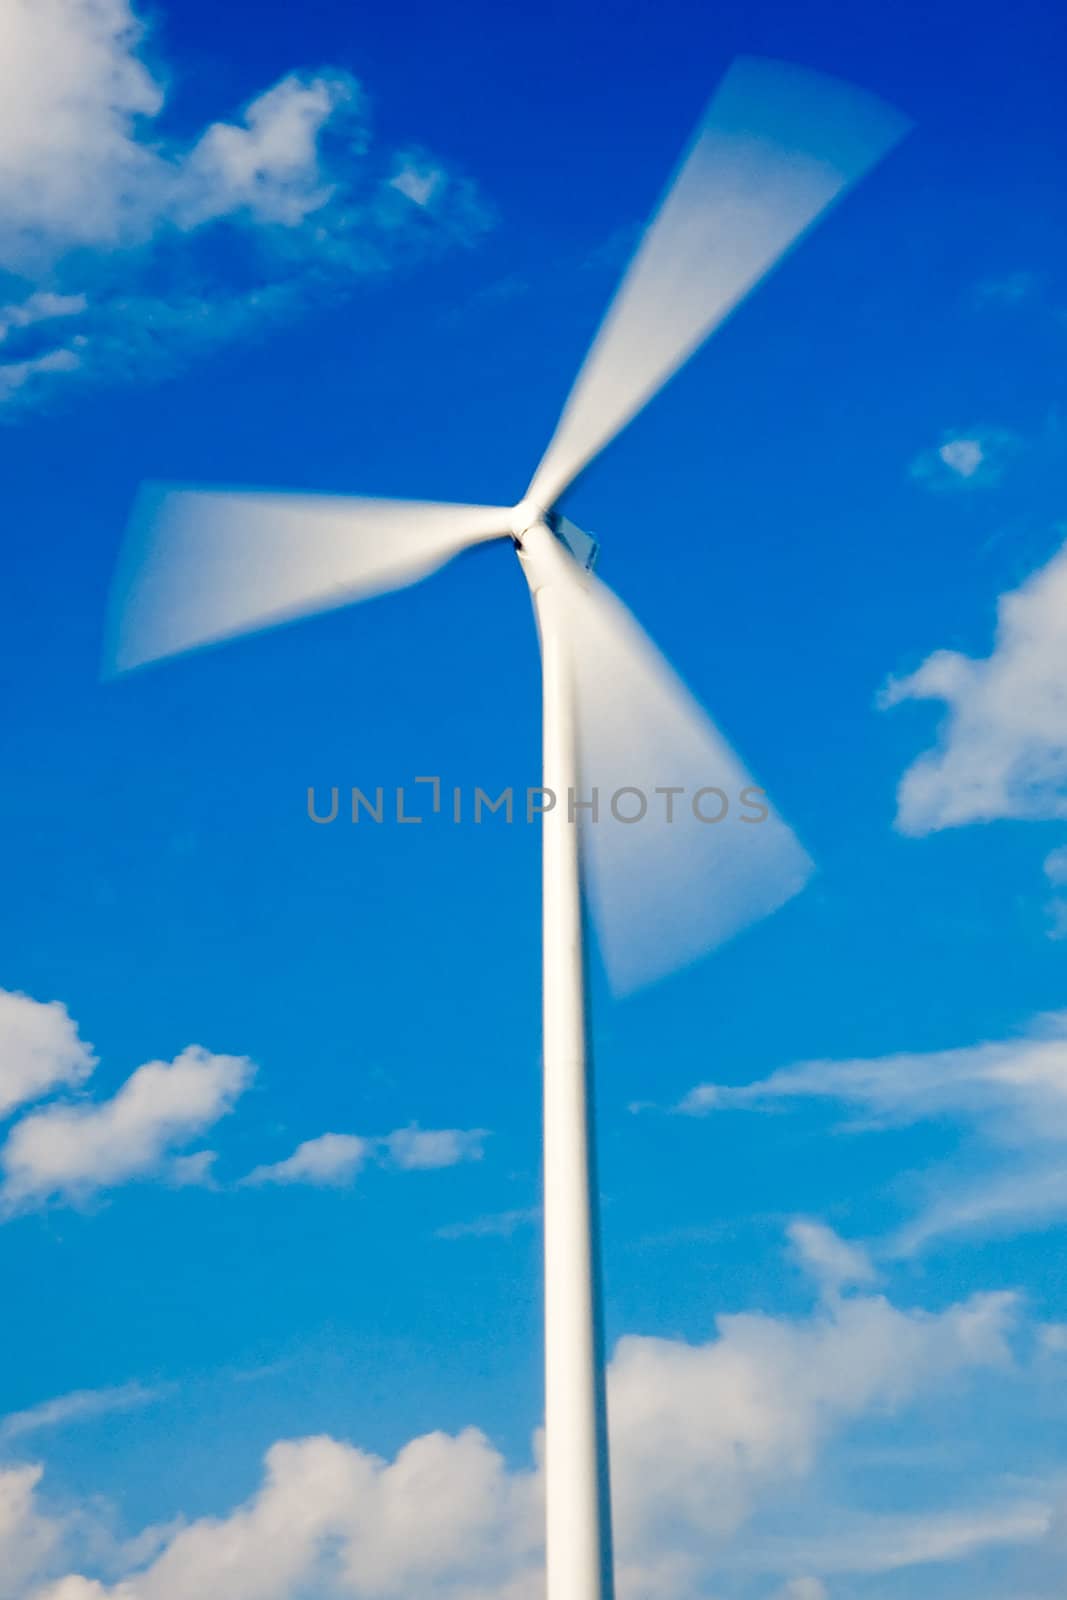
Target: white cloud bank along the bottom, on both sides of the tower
(703, 1436)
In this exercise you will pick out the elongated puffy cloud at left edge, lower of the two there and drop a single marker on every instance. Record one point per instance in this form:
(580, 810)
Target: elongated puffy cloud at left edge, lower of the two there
(74, 1151)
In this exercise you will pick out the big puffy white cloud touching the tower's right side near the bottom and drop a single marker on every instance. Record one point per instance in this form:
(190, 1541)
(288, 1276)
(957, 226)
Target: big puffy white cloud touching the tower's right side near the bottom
(701, 1433)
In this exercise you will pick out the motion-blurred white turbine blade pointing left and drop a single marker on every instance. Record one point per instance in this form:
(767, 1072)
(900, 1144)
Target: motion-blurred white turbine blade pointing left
(202, 566)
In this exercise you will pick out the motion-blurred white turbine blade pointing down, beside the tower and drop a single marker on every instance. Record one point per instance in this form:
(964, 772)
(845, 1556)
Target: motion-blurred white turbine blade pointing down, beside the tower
(663, 892)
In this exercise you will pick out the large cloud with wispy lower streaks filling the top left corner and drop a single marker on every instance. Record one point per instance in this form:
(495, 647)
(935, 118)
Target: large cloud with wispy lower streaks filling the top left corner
(98, 206)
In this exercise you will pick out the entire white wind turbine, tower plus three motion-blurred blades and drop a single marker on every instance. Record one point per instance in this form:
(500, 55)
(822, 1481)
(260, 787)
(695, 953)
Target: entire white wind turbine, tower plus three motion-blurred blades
(775, 150)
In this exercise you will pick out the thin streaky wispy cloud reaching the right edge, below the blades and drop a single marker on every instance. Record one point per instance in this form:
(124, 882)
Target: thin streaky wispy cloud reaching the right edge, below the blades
(1012, 1092)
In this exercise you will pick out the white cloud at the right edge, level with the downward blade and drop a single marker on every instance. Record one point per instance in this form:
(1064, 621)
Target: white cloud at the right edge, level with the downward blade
(1004, 748)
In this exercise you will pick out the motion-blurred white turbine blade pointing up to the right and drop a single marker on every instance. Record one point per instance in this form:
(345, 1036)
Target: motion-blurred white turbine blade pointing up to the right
(777, 146)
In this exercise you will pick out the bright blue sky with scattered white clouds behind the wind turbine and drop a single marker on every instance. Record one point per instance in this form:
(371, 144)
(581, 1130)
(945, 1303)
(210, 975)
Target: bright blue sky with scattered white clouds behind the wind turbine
(831, 1154)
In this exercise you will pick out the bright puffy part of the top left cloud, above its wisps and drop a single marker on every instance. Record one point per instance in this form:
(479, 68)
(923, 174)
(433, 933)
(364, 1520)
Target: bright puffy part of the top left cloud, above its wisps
(81, 164)
